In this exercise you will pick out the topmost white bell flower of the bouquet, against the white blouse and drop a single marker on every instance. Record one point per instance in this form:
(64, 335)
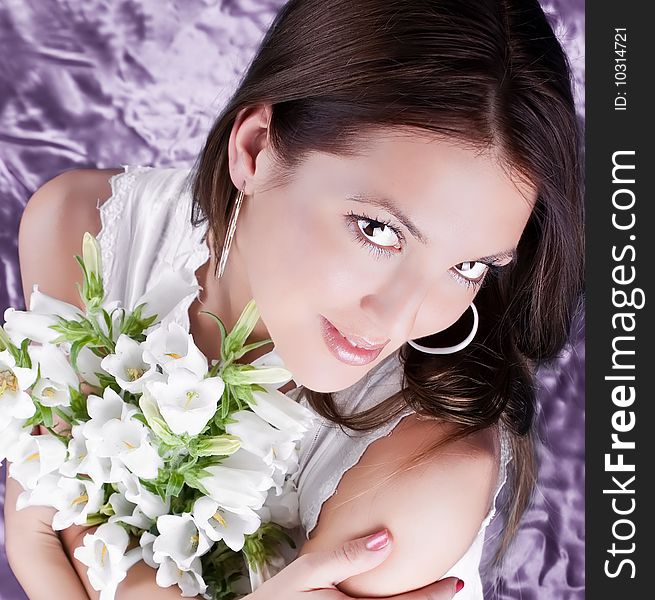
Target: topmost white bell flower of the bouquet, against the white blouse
(169, 290)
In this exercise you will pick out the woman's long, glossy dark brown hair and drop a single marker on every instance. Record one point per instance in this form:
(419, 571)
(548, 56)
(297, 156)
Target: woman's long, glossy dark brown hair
(489, 73)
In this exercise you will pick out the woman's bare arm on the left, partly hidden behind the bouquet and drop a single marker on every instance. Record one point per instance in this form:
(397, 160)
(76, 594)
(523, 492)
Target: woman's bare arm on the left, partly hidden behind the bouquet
(50, 234)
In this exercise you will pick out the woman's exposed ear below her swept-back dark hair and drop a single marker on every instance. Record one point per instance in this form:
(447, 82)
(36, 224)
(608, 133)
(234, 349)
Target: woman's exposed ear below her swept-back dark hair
(248, 144)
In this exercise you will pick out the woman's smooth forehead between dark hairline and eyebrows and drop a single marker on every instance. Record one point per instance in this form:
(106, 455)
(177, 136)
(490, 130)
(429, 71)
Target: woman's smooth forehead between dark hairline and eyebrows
(459, 196)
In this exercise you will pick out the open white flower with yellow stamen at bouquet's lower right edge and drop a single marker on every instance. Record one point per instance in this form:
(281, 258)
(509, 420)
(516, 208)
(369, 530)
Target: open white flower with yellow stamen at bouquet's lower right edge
(218, 523)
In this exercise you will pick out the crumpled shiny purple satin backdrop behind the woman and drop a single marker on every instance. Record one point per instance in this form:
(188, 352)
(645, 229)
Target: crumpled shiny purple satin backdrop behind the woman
(99, 83)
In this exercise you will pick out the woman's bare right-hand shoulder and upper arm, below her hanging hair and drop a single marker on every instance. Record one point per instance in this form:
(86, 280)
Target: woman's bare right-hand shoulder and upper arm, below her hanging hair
(433, 511)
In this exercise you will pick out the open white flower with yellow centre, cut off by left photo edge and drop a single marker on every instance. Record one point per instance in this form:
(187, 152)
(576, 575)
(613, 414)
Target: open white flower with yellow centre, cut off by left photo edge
(15, 402)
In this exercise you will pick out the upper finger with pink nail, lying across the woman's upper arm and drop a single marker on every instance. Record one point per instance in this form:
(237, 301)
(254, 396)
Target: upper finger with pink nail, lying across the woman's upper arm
(328, 568)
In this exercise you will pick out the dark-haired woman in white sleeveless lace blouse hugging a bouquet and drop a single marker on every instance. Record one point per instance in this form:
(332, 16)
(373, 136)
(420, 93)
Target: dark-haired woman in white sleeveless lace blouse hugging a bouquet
(408, 176)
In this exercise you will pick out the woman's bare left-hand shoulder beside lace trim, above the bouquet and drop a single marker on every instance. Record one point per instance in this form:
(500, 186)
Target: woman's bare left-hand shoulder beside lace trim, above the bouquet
(52, 227)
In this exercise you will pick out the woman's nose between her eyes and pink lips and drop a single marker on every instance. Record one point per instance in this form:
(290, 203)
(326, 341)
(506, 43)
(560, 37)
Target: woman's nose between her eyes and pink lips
(395, 306)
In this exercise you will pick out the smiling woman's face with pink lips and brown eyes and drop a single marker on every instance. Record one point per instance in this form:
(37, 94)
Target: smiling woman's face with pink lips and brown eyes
(311, 251)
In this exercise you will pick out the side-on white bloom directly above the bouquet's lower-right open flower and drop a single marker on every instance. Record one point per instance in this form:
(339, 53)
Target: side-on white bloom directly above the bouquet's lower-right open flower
(241, 480)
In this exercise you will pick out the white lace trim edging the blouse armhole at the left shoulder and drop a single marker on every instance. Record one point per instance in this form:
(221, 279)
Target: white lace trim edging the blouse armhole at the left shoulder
(110, 211)
